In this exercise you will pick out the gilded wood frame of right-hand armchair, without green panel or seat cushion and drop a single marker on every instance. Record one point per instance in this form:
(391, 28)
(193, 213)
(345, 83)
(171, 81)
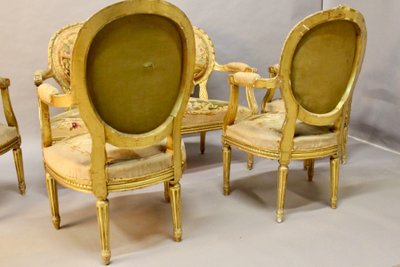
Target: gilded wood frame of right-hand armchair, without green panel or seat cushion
(294, 111)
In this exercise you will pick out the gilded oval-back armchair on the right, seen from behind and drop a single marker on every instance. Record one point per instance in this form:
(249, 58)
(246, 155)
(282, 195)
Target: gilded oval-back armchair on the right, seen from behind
(319, 66)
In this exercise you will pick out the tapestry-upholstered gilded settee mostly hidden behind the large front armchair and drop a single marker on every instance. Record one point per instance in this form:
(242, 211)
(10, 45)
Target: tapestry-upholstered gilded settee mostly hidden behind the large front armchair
(202, 114)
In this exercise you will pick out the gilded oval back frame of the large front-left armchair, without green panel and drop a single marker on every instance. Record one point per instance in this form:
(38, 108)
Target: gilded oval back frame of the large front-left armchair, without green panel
(103, 133)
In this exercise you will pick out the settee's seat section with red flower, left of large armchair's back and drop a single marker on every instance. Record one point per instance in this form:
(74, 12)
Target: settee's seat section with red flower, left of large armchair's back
(67, 124)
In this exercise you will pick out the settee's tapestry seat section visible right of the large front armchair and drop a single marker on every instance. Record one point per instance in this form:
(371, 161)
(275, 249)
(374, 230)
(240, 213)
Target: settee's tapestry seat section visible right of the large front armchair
(210, 111)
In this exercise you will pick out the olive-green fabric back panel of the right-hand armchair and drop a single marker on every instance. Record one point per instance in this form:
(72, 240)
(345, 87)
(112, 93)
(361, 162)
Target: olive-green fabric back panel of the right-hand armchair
(322, 64)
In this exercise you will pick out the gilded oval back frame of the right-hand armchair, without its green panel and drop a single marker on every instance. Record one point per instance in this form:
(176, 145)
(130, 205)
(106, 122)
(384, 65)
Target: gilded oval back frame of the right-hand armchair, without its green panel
(294, 110)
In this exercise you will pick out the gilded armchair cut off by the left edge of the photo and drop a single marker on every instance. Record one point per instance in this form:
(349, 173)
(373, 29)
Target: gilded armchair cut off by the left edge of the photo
(9, 134)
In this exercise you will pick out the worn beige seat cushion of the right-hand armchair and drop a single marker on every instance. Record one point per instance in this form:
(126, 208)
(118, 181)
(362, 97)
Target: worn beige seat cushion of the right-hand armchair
(264, 131)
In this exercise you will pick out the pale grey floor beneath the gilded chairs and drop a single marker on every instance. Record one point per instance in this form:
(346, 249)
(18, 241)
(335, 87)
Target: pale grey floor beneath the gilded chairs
(238, 230)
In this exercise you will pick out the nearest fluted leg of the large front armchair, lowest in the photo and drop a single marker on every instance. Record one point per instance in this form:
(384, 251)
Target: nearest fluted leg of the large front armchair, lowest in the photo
(103, 220)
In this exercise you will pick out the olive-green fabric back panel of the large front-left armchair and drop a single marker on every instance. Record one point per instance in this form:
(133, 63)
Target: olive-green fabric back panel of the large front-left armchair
(155, 46)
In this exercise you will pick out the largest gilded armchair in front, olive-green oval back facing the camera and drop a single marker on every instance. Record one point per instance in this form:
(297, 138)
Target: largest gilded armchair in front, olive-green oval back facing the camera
(133, 137)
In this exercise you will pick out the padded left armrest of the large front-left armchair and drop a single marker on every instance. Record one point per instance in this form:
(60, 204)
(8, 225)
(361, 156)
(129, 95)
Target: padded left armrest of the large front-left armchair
(50, 95)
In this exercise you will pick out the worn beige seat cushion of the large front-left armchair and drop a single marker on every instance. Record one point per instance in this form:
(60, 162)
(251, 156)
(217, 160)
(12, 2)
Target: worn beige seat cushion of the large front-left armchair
(70, 158)
